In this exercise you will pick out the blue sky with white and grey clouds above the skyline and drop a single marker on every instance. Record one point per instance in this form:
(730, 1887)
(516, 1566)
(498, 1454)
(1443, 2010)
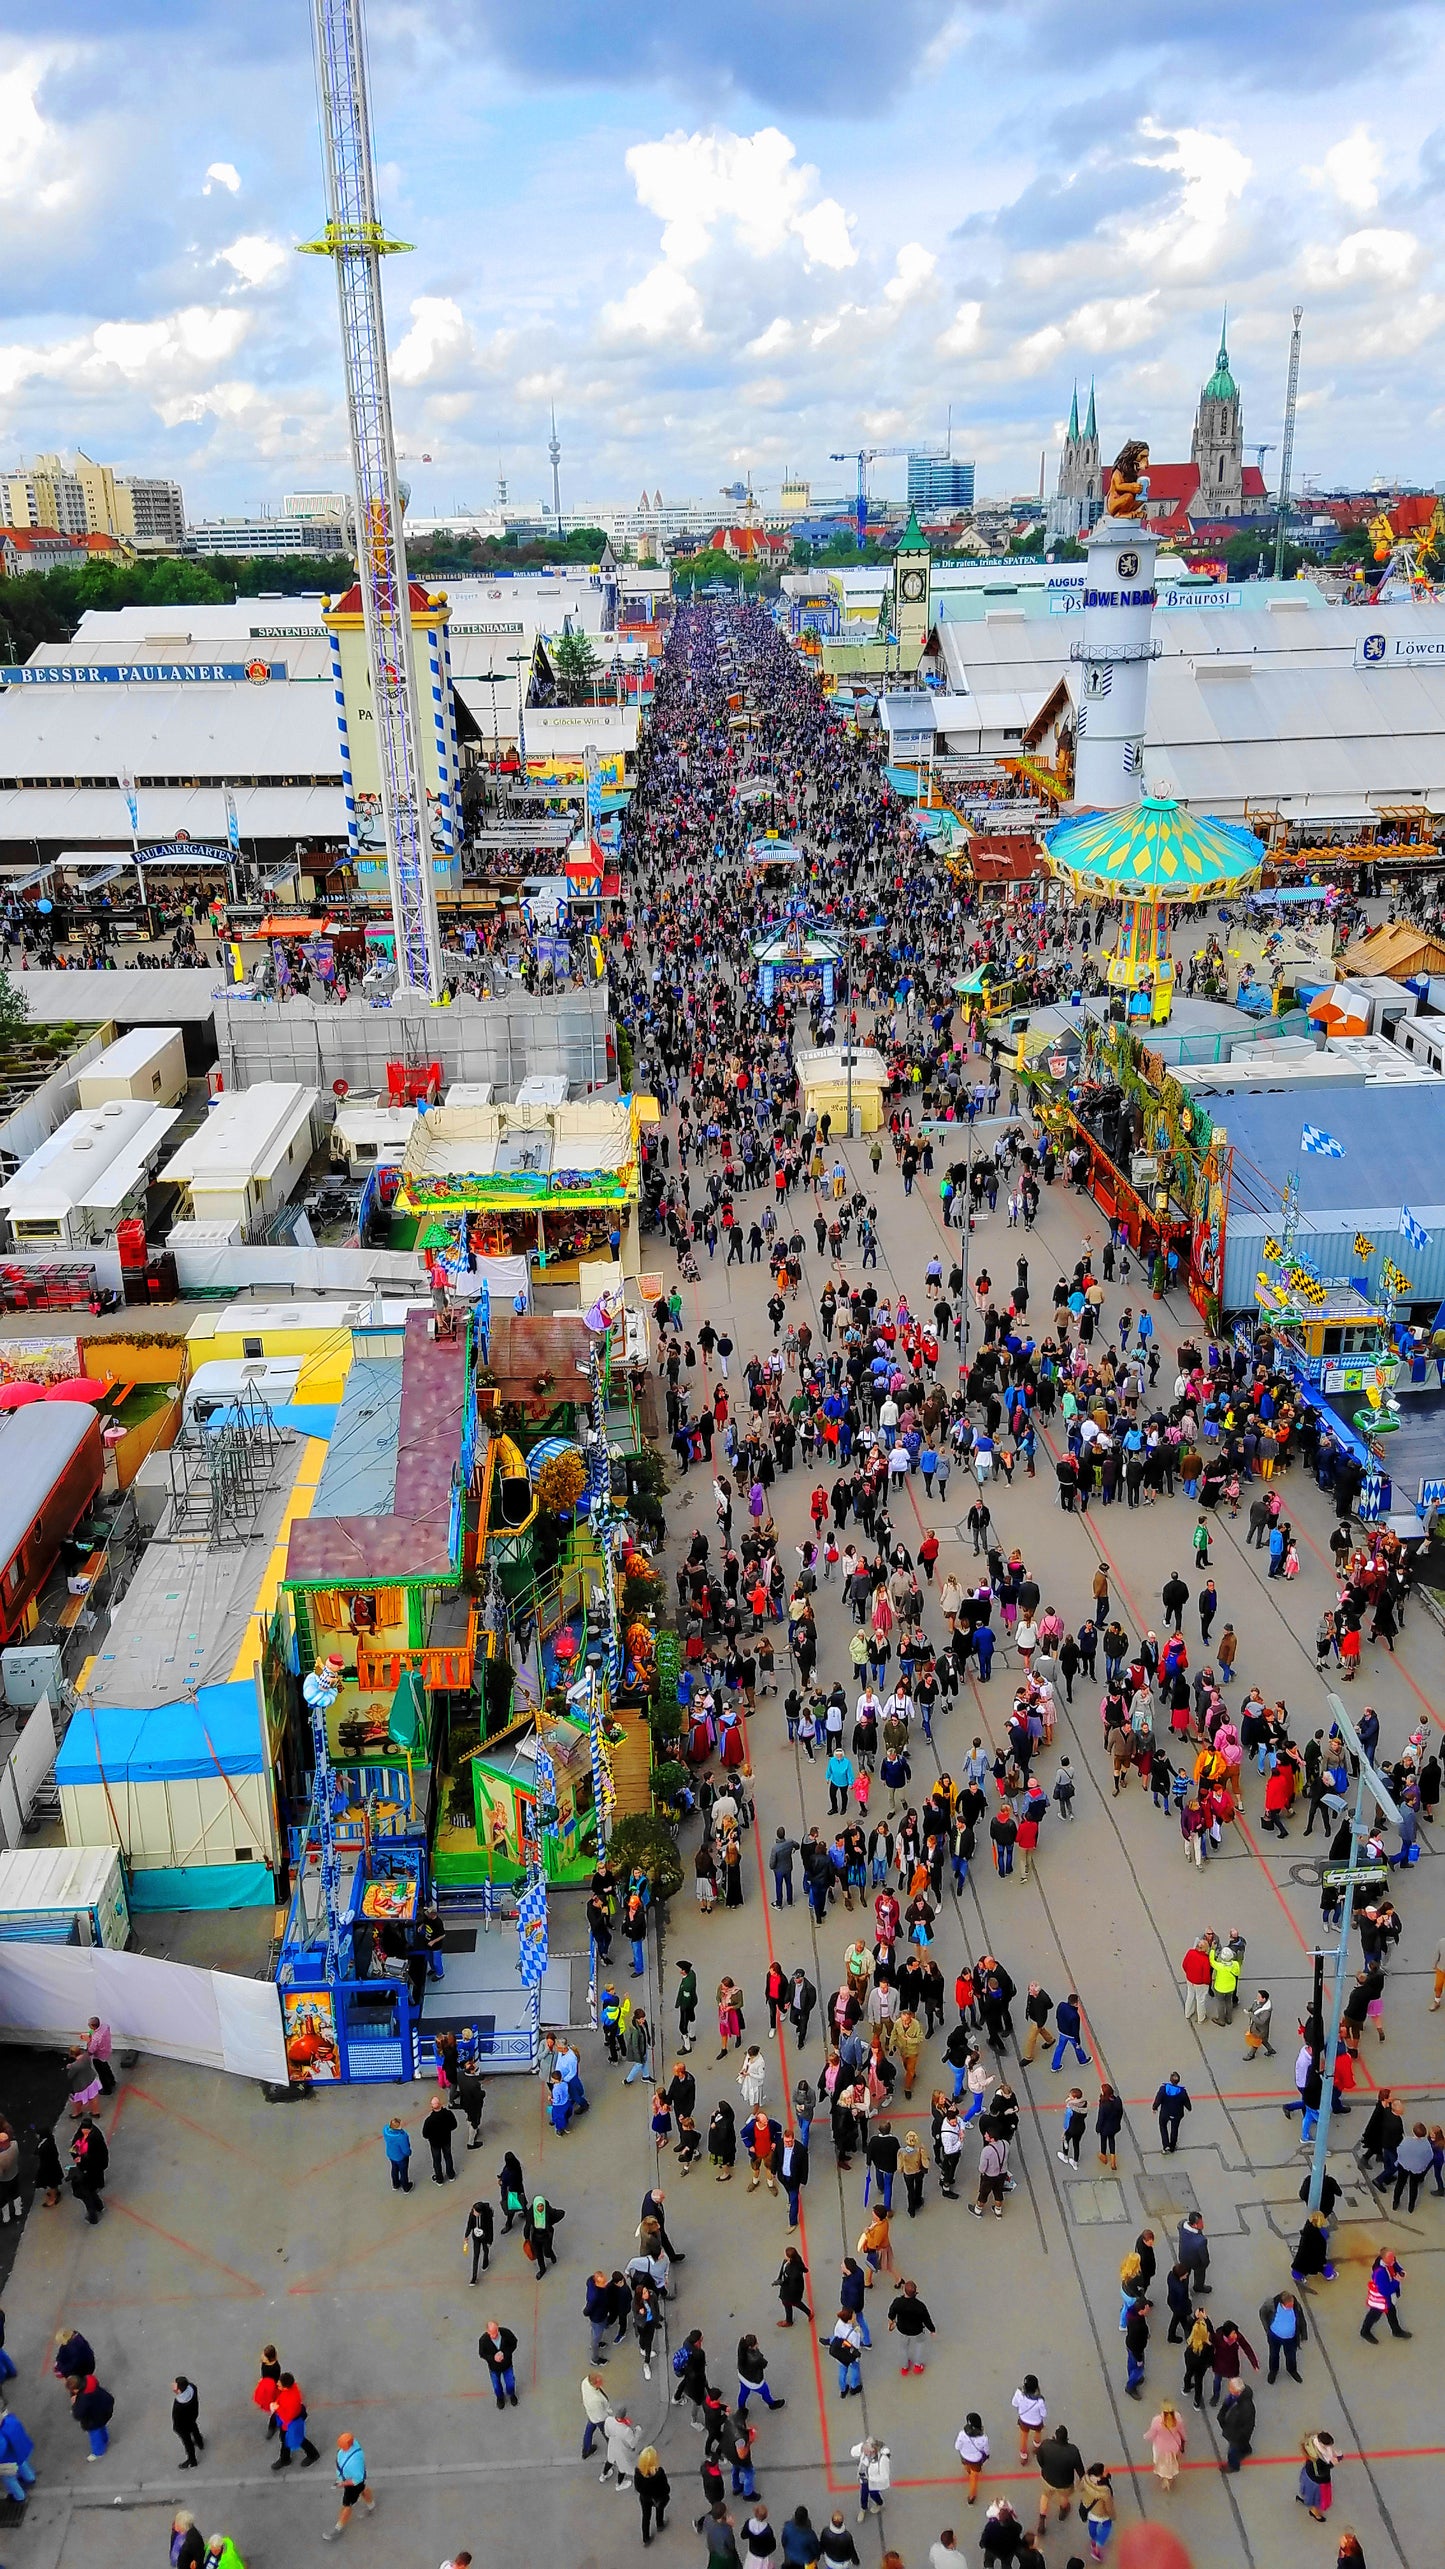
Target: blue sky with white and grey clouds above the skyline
(724, 238)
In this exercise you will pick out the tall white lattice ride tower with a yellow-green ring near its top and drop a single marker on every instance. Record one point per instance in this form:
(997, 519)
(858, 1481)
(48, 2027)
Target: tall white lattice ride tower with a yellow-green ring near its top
(359, 243)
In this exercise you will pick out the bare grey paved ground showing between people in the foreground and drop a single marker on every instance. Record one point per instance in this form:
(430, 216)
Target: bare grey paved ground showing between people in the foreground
(235, 2221)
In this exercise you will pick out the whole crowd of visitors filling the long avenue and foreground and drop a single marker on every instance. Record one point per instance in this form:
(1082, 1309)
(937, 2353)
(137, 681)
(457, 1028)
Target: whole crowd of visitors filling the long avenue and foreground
(937, 1710)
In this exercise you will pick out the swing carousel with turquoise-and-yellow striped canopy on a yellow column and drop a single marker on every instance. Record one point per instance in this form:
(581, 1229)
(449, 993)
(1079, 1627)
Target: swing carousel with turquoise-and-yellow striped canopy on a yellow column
(1151, 857)
